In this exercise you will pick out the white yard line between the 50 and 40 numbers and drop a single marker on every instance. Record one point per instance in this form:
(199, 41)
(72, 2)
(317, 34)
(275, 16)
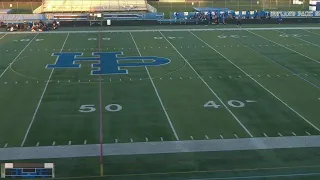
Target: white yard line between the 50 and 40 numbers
(157, 93)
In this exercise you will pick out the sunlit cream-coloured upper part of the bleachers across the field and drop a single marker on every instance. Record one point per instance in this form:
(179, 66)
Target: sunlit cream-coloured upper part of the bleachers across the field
(79, 6)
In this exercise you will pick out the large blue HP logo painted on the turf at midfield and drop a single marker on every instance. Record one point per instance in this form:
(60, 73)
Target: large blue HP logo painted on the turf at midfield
(106, 63)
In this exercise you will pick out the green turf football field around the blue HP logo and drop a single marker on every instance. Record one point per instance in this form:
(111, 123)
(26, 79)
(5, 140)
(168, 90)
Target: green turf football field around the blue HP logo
(218, 85)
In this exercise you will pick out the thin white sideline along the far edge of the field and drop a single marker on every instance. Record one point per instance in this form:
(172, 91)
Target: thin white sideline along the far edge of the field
(156, 30)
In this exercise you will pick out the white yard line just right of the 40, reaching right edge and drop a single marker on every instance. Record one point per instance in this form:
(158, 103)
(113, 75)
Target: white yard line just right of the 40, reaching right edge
(302, 117)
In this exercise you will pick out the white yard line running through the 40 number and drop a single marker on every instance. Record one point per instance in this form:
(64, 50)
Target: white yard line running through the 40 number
(233, 115)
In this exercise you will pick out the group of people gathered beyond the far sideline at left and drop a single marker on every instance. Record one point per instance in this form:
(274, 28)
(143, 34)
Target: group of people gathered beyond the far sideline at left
(32, 26)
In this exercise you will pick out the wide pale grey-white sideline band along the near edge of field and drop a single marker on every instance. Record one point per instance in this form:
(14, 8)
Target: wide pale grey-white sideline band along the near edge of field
(19, 153)
